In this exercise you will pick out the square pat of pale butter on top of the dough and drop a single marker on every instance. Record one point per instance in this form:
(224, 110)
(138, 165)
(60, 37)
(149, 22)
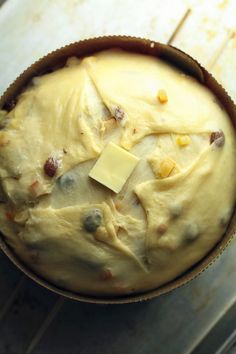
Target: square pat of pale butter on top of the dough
(114, 167)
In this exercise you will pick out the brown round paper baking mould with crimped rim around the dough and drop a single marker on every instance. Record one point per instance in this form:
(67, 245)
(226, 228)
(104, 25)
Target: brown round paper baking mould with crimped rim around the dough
(175, 57)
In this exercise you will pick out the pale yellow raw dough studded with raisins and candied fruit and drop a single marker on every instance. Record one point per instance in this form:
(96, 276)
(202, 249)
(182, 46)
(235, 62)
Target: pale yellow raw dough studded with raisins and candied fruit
(171, 211)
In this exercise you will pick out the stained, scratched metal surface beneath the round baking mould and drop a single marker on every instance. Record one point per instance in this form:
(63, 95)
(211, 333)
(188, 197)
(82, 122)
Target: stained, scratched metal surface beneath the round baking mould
(196, 318)
